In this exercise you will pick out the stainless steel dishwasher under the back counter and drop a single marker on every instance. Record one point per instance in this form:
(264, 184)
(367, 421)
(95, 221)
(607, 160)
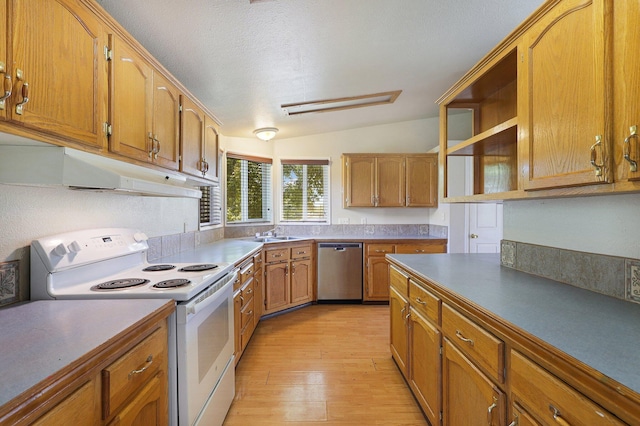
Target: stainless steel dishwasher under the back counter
(339, 272)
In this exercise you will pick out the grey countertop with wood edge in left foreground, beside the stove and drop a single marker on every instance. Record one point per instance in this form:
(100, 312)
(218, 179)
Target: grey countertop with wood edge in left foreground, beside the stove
(42, 341)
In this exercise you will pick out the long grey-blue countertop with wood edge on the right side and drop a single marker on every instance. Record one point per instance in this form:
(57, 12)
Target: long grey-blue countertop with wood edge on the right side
(597, 330)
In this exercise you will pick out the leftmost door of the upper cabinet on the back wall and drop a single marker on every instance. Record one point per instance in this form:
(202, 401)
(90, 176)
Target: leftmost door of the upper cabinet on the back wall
(360, 181)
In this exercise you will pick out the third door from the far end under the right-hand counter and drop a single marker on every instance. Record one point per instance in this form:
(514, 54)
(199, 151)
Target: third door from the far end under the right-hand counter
(468, 396)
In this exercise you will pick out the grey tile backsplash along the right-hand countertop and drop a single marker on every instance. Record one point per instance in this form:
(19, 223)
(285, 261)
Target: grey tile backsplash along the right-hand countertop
(611, 275)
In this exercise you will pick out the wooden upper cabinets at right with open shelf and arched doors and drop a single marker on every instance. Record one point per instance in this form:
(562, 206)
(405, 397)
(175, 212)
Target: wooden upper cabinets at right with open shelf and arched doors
(555, 106)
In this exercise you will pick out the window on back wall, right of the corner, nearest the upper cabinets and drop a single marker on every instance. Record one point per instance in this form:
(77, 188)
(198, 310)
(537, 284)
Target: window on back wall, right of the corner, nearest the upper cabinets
(305, 191)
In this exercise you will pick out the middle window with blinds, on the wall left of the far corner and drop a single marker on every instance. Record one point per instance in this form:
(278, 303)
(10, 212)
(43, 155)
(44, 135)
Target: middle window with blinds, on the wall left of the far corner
(248, 189)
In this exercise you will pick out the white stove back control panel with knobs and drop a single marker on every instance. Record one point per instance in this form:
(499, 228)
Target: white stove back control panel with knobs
(78, 248)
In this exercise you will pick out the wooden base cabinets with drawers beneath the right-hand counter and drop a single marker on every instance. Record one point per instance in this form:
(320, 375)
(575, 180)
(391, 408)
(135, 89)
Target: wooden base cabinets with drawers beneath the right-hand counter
(463, 363)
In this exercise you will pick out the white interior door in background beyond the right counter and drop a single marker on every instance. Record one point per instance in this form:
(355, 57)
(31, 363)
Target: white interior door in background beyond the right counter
(485, 227)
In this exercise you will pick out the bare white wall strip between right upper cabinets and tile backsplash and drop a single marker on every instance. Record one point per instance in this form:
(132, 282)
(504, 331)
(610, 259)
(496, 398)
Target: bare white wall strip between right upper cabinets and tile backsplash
(601, 224)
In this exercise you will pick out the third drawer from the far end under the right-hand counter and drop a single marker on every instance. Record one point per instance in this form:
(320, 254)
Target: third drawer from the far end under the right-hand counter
(482, 347)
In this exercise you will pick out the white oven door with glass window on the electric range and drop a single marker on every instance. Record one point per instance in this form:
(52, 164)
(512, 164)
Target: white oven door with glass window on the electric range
(204, 331)
